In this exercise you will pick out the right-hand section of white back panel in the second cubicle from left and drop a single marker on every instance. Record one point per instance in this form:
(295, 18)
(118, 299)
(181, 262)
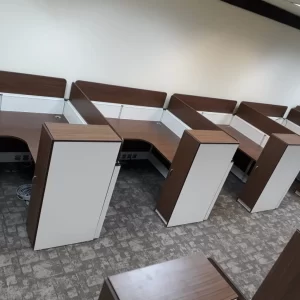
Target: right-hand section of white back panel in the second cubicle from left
(143, 113)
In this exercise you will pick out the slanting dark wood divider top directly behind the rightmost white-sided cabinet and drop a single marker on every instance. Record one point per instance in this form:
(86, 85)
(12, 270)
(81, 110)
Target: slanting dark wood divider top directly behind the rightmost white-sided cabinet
(259, 120)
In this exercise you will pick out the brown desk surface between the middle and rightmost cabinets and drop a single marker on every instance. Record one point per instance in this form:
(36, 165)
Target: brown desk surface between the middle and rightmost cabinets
(247, 146)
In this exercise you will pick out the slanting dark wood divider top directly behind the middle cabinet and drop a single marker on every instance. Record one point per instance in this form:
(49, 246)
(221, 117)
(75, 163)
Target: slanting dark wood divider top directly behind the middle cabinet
(190, 116)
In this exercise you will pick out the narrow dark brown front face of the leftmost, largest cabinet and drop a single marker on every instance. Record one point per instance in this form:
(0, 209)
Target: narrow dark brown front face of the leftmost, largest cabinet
(39, 183)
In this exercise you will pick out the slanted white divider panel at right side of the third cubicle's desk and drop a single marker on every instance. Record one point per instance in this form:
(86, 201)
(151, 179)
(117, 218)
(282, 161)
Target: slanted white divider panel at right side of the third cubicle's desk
(248, 130)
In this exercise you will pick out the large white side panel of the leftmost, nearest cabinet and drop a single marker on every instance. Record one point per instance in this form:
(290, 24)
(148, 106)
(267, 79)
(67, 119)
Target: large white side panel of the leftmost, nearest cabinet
(77, 185)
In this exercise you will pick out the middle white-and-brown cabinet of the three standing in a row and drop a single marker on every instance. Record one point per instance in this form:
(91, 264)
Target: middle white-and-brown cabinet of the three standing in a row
(198, 171)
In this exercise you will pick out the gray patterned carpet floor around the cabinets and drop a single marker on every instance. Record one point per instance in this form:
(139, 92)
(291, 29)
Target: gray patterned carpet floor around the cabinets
(246, 245)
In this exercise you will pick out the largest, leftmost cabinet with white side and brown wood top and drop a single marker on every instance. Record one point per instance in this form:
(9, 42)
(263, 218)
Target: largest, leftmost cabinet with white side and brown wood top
(70, 196)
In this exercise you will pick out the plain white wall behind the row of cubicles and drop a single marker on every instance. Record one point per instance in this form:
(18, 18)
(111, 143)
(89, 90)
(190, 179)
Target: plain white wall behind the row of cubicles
(203, 47)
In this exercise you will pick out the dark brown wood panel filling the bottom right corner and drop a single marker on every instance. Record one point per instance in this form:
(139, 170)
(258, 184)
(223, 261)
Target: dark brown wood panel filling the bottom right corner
(282, 282)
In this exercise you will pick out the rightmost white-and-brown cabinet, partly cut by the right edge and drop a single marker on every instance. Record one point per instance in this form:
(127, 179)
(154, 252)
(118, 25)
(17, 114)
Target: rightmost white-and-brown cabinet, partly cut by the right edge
(273, 173)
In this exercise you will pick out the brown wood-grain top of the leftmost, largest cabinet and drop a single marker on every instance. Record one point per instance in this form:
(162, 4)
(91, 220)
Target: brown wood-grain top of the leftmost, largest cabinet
(78, 132)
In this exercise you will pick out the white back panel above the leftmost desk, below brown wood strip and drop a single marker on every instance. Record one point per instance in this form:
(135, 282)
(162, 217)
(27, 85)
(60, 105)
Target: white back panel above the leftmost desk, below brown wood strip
(32, 104)
